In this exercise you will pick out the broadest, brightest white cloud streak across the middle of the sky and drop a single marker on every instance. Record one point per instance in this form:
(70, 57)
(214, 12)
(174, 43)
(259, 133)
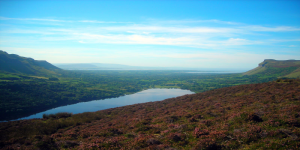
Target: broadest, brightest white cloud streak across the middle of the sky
(190, 41)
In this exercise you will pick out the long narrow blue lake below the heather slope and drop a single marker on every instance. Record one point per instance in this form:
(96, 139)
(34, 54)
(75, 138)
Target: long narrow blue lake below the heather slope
(149, 95)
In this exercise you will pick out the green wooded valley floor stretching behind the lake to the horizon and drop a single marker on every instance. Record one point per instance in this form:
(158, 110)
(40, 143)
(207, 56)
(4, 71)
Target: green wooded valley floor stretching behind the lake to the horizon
(30, 94)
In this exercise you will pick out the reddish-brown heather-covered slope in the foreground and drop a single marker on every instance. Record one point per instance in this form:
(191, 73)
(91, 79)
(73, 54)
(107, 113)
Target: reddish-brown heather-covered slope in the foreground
(255, 116)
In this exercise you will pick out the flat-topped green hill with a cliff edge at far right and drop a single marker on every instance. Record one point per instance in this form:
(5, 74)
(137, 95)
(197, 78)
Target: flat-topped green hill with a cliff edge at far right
(279, 68)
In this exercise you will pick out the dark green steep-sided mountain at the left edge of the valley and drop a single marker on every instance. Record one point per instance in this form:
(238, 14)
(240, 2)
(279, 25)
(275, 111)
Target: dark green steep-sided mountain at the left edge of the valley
(16, 64)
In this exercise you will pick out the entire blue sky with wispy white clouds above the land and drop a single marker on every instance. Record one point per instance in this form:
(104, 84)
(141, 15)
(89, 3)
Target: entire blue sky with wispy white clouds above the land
(196, 34)
